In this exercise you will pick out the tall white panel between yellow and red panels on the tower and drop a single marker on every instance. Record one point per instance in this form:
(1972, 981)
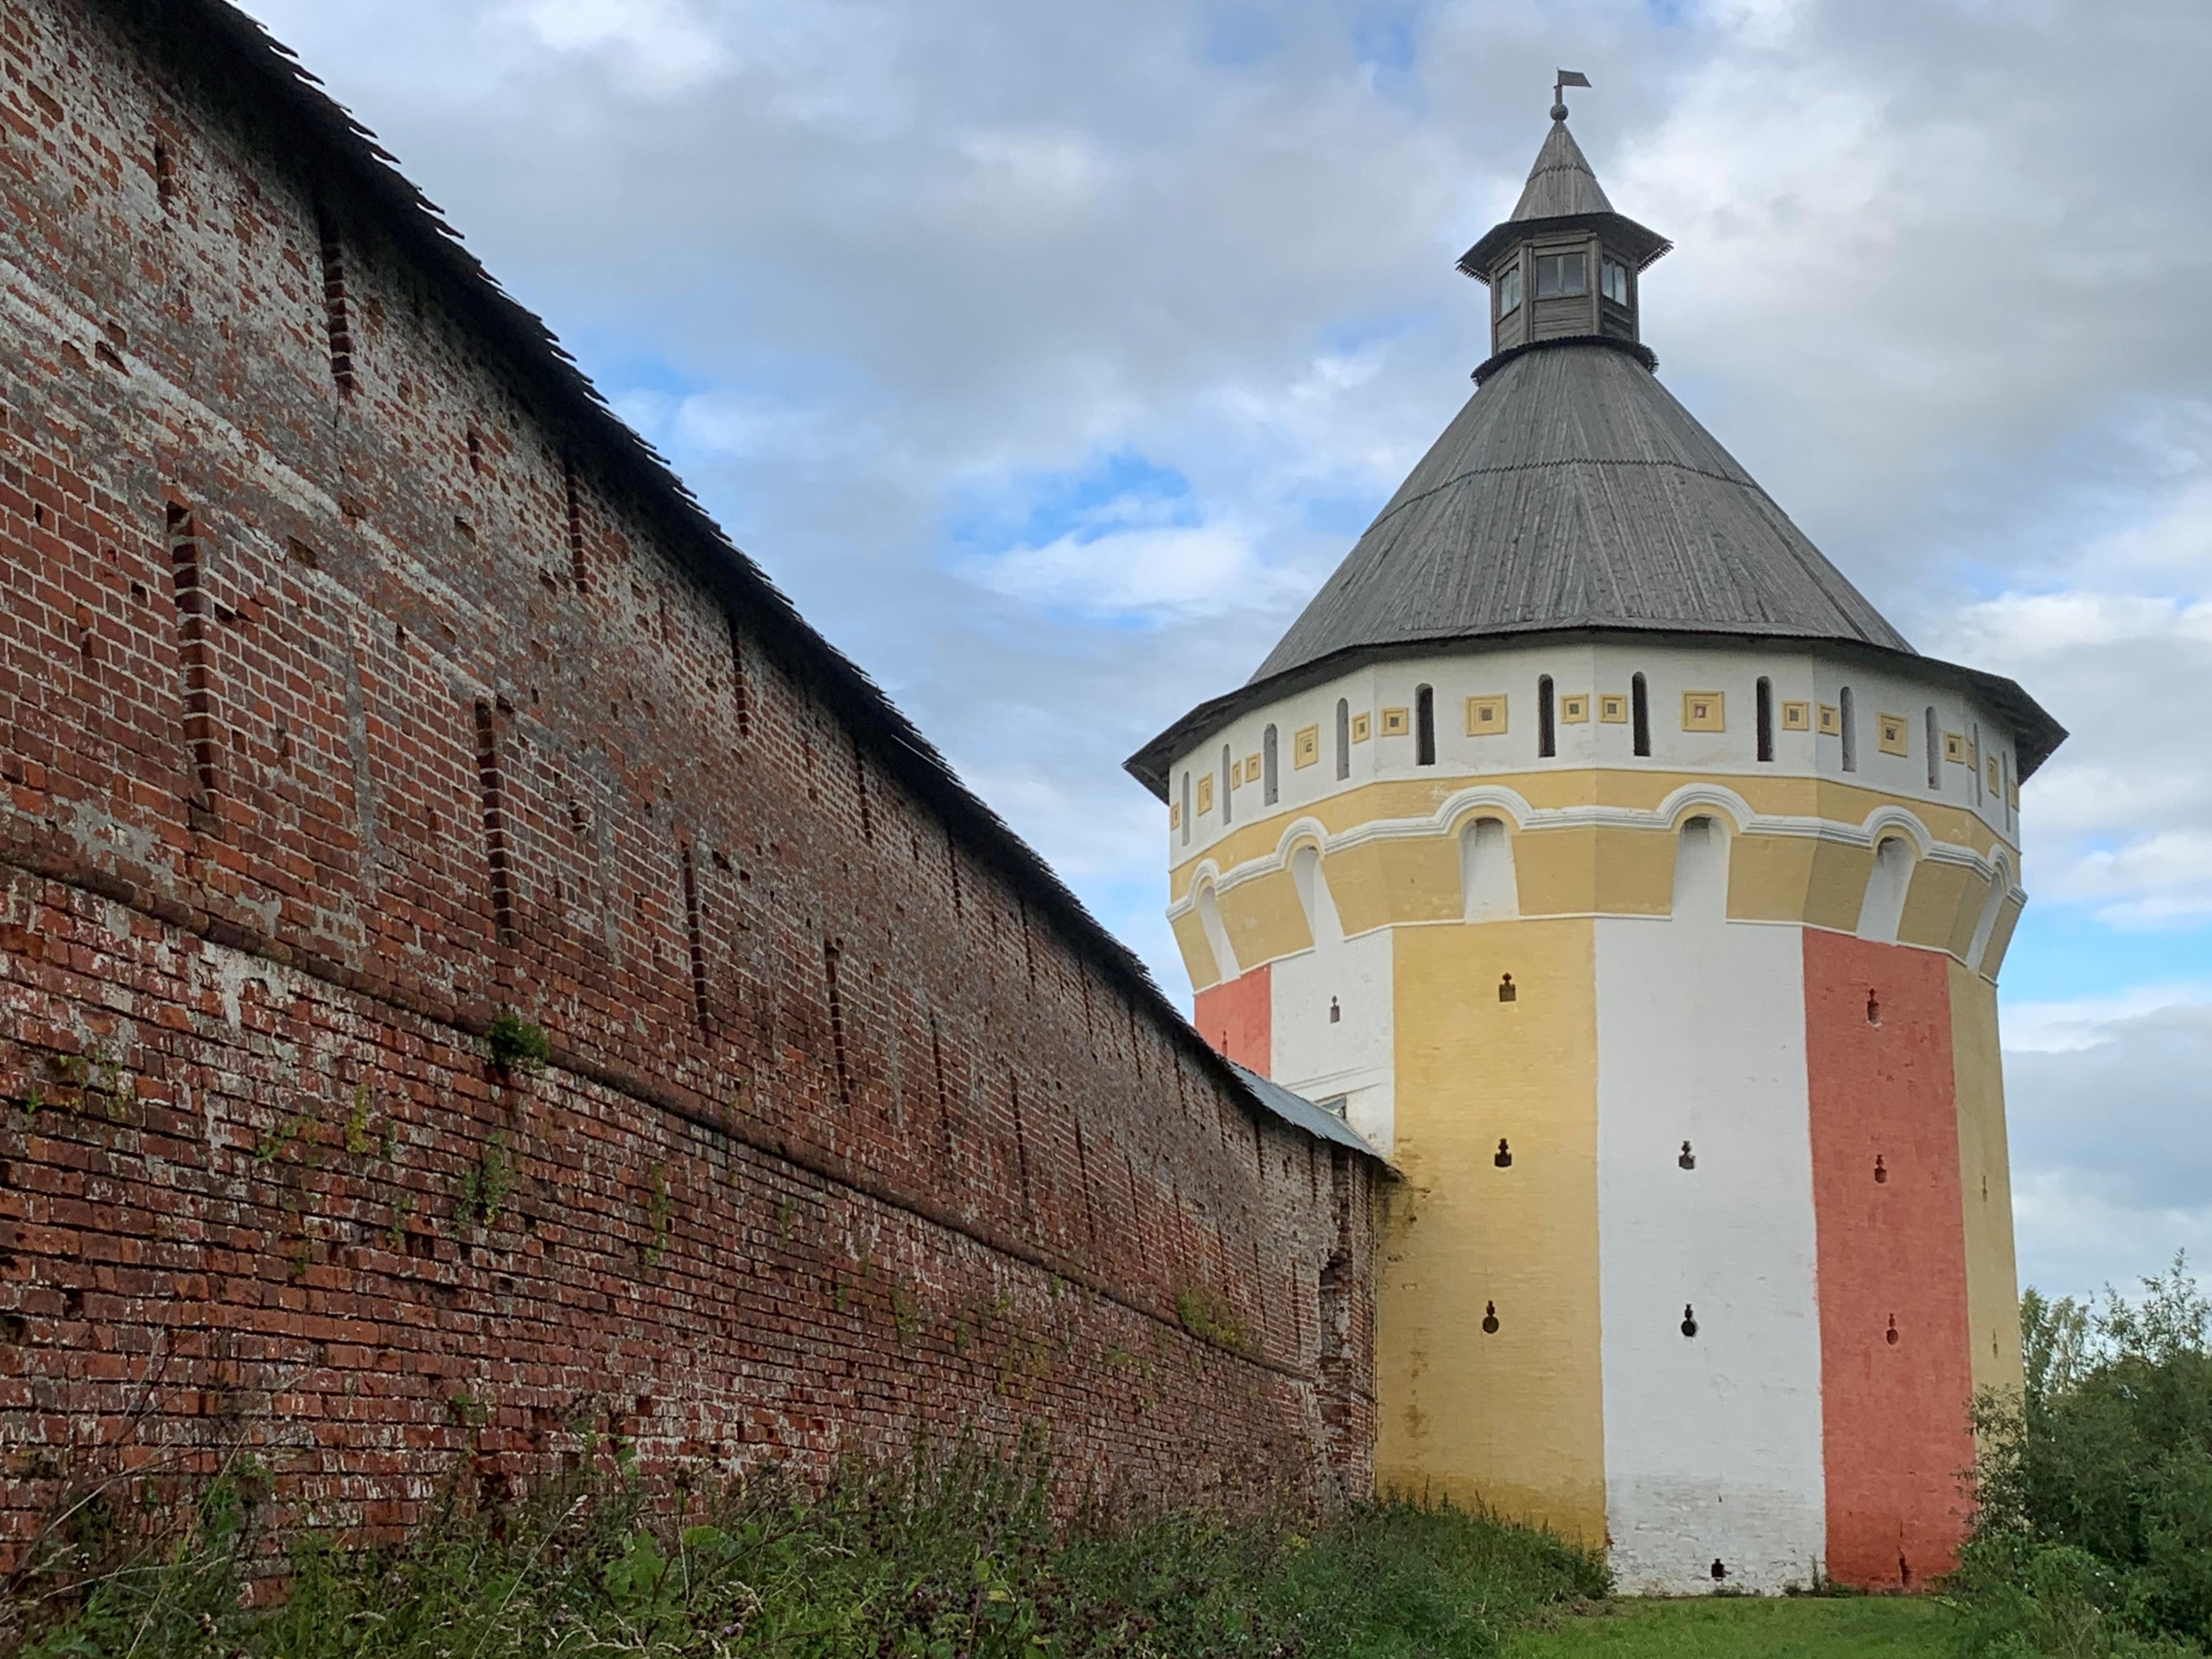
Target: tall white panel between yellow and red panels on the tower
(1713, 1443)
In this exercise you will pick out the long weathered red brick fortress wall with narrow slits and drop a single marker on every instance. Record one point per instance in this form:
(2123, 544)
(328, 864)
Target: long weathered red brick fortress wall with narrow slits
(362, 678)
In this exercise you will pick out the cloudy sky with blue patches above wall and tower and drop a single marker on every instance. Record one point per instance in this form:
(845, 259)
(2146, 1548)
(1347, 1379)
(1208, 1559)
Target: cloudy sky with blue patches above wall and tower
(1050, 355)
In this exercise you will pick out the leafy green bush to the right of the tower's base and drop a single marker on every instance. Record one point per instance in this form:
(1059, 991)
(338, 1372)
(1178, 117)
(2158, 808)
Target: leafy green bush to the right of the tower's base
(2096, 1523)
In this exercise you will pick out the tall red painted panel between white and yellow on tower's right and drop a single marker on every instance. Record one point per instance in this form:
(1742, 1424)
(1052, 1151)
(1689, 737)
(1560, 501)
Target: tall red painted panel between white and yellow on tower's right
(1892, 1260)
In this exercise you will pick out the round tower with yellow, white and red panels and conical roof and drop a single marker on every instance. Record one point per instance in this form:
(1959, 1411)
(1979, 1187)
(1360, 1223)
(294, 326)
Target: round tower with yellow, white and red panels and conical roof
(1607, 859)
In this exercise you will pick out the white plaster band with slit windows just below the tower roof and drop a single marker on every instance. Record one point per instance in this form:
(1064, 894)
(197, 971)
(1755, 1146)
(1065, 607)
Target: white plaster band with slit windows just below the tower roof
(1669, 669)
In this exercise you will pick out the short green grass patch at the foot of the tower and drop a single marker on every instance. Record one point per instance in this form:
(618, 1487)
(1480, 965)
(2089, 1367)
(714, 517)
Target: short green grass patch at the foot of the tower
(1738, 1625)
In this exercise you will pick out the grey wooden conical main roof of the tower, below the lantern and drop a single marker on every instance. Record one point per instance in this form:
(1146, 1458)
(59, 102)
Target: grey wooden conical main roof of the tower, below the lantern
(1574, 492)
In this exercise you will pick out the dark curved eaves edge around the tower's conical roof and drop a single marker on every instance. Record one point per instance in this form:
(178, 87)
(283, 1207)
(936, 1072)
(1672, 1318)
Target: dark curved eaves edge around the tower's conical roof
(2038, 735)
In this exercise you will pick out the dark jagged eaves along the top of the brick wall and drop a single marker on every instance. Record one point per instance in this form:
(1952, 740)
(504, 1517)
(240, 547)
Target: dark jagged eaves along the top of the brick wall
(233, 63)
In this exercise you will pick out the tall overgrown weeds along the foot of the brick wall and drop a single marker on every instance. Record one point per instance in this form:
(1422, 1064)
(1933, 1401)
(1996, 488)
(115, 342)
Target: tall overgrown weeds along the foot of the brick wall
(952, 1558)
